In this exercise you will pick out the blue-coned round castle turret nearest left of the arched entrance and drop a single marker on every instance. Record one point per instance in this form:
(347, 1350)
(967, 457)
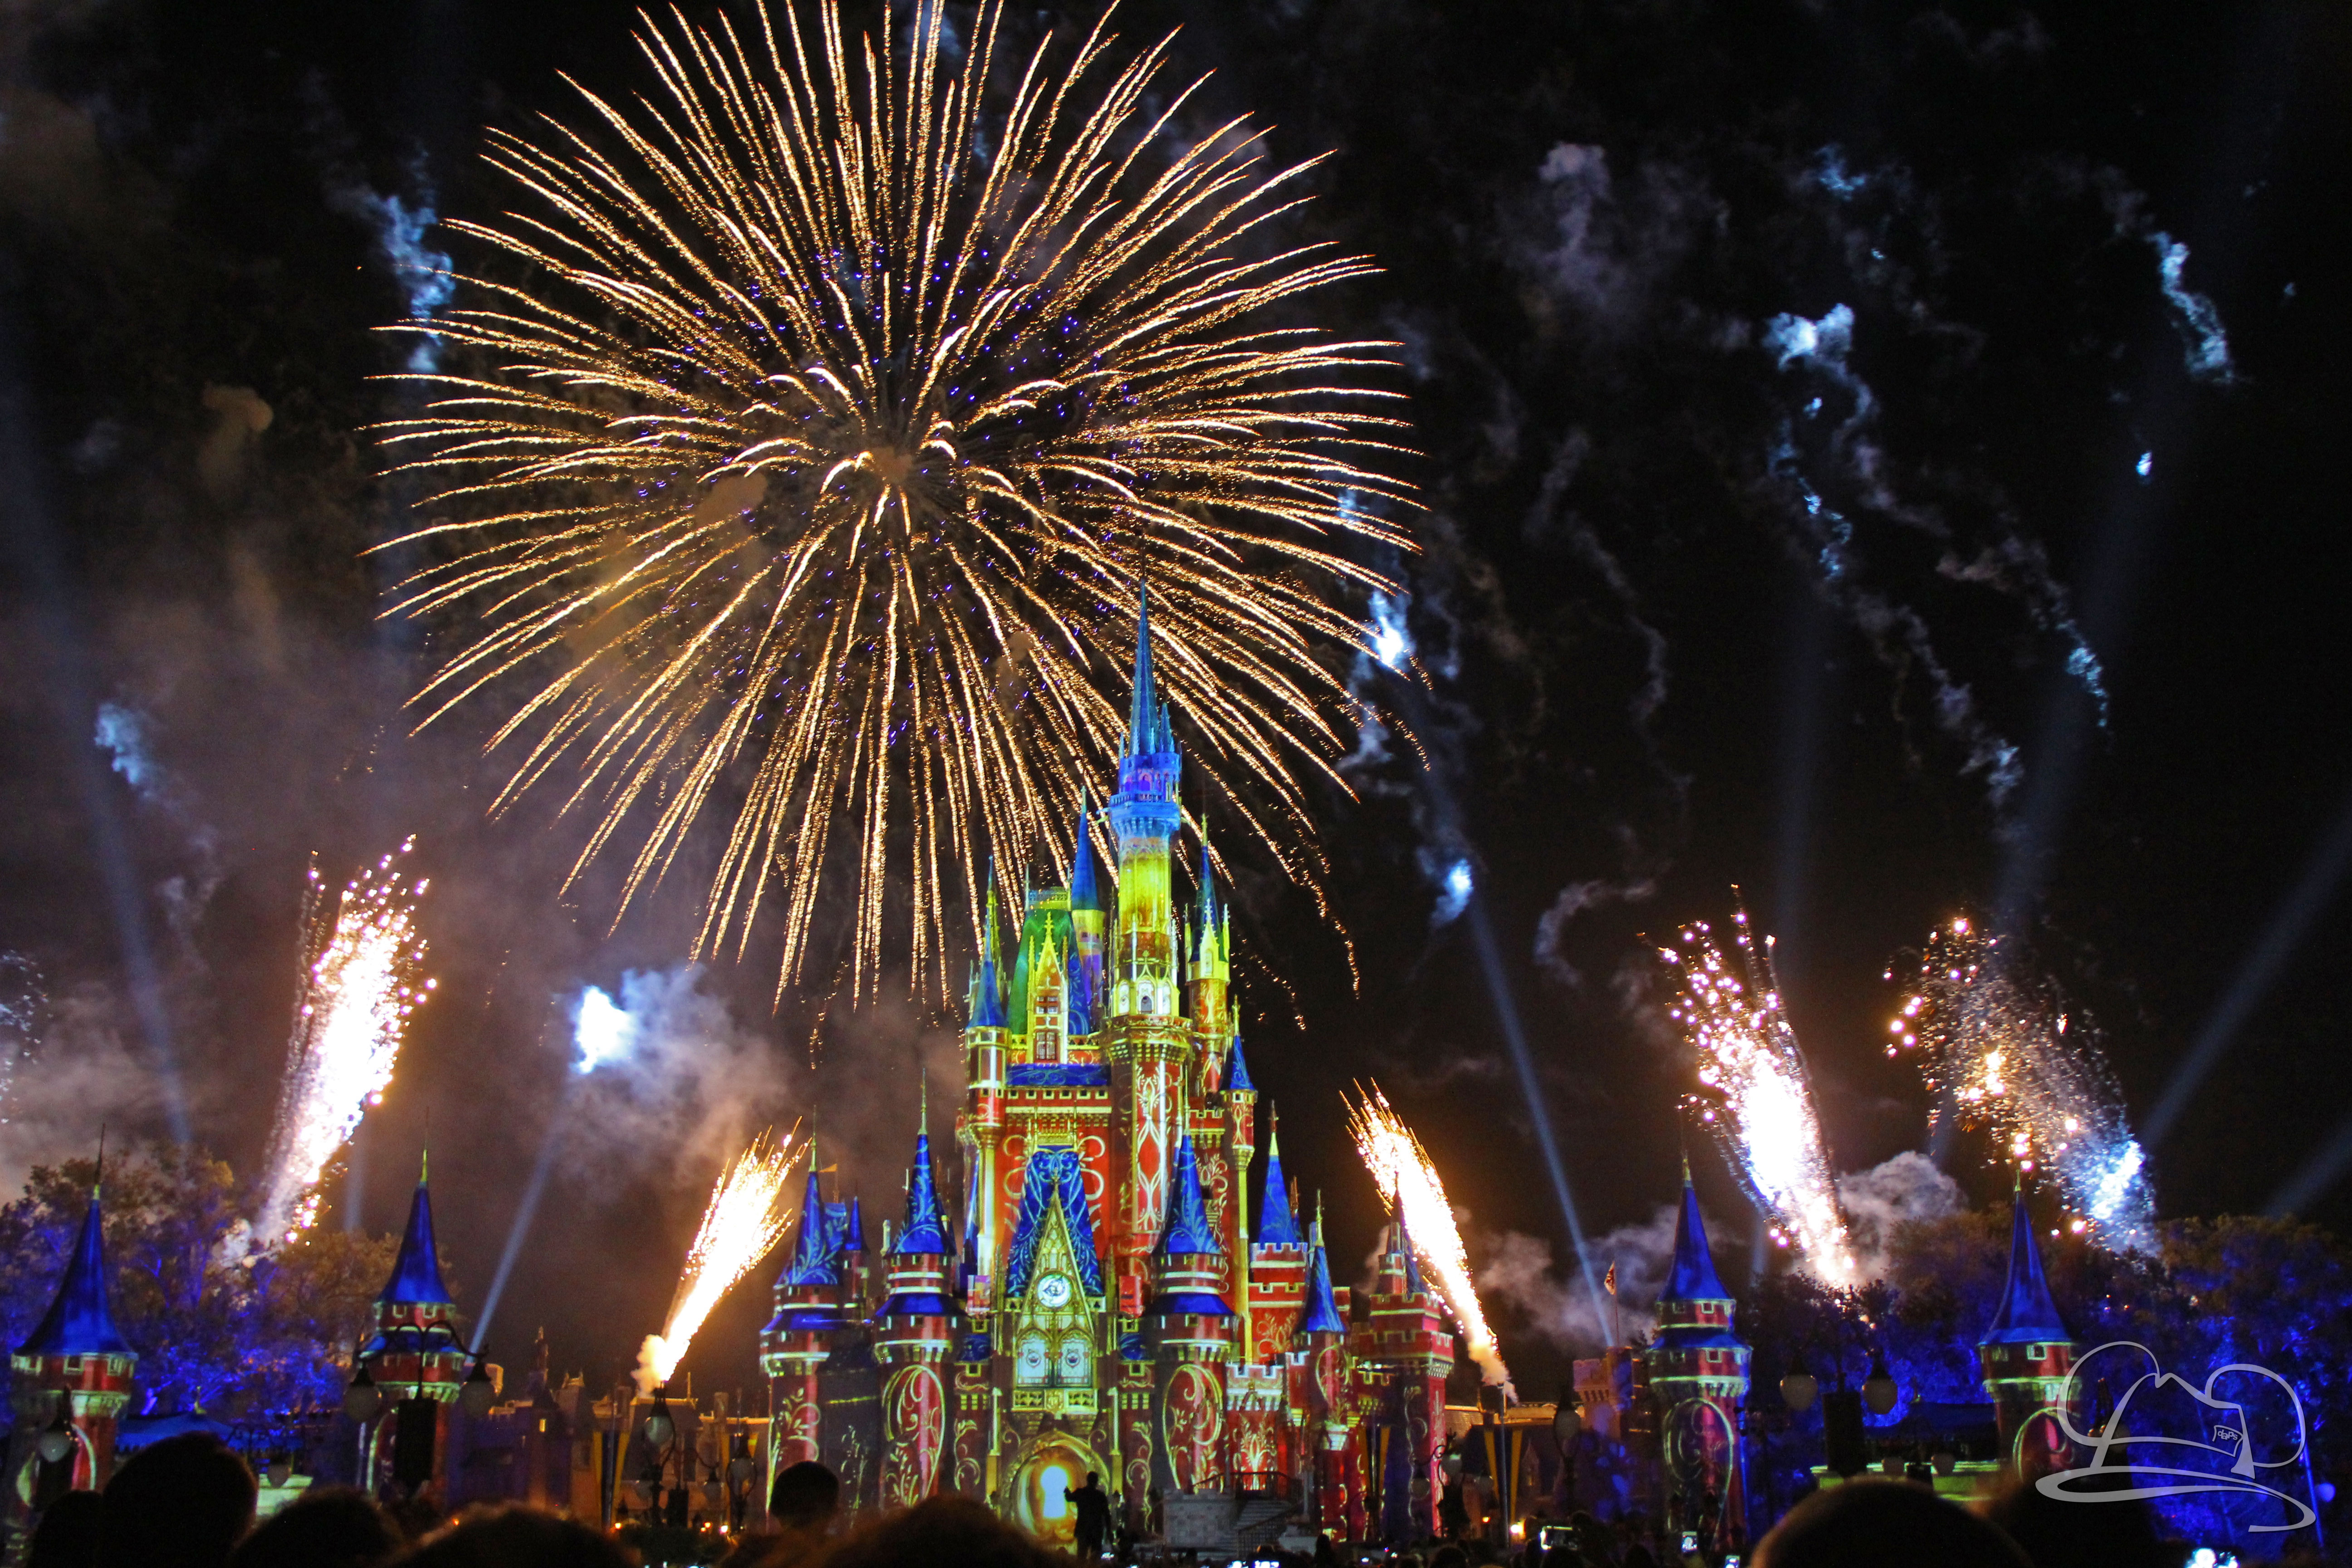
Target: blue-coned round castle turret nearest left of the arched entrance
(916, 1341)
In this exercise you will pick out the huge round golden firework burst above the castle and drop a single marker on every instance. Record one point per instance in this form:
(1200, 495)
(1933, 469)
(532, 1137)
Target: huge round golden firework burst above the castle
(857, 389)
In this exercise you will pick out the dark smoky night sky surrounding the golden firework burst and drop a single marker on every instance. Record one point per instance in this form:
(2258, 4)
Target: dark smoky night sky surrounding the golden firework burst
(1878, 457)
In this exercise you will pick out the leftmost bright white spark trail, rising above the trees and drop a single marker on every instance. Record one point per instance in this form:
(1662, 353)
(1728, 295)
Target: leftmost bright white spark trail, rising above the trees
(361, 979)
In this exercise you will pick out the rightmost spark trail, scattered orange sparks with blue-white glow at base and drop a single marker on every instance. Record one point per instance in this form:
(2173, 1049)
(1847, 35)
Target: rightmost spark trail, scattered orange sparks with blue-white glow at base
(2031, 1076)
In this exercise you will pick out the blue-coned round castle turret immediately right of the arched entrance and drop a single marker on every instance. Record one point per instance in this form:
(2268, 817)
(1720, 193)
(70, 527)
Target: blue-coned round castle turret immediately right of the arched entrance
(1191, 1336)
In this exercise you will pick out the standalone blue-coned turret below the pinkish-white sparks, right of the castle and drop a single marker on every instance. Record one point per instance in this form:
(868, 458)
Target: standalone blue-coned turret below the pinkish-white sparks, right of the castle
(1699, 1379)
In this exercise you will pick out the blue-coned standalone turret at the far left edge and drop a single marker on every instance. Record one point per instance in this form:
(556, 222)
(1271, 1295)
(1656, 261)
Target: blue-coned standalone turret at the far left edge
(72, 1367)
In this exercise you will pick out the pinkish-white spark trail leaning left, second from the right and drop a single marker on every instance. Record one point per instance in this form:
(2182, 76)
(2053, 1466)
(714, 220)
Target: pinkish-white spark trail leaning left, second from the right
(1758, 1097)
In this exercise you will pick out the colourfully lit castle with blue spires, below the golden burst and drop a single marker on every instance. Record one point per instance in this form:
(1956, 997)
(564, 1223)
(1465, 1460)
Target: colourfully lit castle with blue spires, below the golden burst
(1102, 1304)
